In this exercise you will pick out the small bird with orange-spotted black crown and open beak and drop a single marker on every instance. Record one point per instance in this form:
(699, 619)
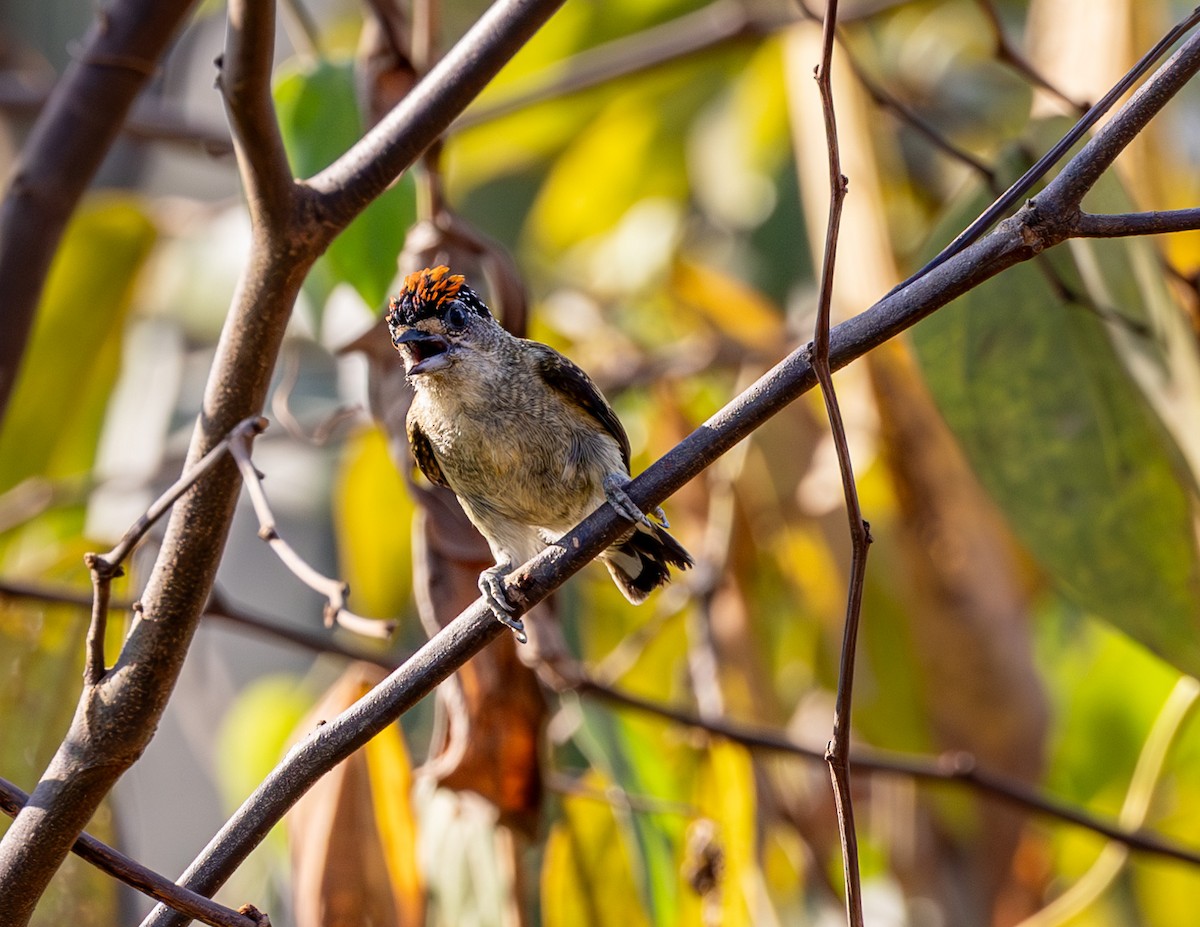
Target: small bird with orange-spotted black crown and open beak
(521, 435)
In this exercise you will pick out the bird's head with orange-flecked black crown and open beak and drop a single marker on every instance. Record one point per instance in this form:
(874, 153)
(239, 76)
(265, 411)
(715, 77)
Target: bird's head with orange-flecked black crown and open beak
(437, 320)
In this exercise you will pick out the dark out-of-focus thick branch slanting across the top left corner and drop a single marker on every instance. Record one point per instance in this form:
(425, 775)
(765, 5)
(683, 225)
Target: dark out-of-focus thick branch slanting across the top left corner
(64, 152)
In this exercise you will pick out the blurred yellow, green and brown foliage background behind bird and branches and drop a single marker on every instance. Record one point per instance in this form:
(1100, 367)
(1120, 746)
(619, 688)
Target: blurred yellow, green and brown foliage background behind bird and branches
(656, 171)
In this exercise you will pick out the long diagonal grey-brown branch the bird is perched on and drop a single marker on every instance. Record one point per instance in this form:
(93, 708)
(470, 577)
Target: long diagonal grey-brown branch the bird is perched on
(1015, 241)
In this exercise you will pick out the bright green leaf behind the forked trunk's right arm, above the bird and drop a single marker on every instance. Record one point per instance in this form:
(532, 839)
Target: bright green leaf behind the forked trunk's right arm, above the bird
(320, 121)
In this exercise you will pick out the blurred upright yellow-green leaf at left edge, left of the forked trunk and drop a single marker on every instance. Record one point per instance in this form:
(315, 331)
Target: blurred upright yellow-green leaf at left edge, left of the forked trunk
(75, 350)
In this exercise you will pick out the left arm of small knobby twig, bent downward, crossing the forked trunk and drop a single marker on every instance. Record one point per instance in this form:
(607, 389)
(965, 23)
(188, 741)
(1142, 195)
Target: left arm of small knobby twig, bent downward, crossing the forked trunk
(107, 567)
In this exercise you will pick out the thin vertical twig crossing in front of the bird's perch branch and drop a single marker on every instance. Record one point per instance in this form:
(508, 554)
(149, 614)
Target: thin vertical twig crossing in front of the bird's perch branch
(838, 753)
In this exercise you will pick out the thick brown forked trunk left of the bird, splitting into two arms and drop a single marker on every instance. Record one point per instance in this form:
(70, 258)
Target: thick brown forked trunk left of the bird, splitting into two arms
(117, 719)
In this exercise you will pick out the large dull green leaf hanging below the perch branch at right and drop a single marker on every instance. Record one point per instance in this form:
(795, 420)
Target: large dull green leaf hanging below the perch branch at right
(1065, 440)
